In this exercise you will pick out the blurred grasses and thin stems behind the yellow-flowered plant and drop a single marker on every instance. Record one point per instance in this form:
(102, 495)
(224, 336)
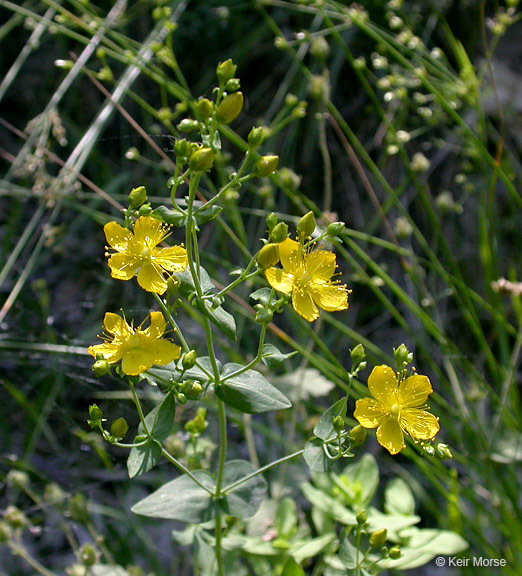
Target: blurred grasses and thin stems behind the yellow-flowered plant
(399, 118)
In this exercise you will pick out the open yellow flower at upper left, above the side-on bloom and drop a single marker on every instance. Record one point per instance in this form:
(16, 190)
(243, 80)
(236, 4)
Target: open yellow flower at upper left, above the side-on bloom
(139, 252)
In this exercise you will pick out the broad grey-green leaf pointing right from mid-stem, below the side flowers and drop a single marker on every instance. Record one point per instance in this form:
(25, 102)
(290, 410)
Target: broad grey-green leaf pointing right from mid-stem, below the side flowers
(250, 391)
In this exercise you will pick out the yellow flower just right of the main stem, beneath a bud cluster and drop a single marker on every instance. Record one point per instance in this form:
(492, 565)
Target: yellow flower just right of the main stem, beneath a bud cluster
(307, 277)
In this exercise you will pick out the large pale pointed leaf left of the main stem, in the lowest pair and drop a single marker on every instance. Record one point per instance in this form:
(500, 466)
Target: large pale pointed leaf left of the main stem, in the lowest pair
(181, 499)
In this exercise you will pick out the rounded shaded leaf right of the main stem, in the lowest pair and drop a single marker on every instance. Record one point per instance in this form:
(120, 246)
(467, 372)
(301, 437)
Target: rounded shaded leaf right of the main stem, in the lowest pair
(243, 501)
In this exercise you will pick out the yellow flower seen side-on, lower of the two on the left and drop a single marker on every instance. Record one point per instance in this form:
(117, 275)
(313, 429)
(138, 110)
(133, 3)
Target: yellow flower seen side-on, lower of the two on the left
(138, 349)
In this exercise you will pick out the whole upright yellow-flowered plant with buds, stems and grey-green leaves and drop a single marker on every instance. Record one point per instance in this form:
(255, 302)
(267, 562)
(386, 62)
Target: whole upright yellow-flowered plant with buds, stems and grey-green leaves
(298, 271)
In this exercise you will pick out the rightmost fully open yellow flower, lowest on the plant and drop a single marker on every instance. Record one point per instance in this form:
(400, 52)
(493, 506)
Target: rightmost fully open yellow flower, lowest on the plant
(396, 408)
